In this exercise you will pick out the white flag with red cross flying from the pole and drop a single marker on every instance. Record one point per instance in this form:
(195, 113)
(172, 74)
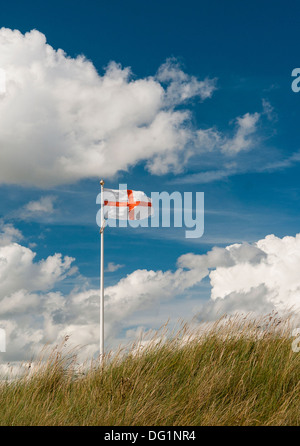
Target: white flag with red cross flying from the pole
(126, 204)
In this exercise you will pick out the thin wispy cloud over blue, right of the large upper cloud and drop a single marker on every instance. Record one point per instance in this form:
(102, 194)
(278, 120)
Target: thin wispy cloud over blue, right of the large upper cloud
(229, 150)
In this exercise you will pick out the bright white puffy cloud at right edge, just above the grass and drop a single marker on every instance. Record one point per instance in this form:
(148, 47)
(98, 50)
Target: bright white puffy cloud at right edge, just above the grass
(277, 272)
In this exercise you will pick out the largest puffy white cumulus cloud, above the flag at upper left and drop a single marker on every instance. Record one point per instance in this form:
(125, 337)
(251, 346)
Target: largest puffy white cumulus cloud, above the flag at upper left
(62, 121)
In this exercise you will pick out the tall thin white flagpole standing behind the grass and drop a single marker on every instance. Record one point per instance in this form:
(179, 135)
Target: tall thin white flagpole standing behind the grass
(102, 275)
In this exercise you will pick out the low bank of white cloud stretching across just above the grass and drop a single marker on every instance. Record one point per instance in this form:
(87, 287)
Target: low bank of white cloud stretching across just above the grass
(253, 278)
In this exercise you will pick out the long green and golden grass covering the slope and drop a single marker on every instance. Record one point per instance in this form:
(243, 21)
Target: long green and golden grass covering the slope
(238, 373)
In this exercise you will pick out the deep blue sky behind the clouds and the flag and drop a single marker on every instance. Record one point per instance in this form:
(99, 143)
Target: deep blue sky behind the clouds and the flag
(249, 48)
